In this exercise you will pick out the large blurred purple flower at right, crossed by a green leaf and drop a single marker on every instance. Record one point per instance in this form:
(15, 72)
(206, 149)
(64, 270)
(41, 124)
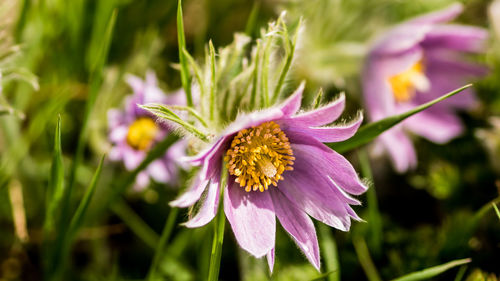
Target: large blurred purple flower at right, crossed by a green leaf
(416, 62)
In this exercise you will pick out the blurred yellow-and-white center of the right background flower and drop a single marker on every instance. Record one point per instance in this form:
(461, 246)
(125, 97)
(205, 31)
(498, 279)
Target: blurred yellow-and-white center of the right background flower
(405, 84)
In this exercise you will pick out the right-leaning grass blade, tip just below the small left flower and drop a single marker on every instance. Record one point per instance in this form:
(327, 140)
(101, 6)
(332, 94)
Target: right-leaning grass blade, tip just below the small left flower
(81, 211)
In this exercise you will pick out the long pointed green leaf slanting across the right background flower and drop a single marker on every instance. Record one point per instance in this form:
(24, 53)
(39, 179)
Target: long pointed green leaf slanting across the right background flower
(370, 131)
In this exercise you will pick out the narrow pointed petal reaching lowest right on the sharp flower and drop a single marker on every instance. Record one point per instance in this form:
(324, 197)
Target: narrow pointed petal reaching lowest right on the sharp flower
(298, 224)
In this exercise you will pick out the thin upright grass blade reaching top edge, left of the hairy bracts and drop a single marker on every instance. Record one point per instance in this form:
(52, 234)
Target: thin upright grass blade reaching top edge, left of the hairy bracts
(181, 42)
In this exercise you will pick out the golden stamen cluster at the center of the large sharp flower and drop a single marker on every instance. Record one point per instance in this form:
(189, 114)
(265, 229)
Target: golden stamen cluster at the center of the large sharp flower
(258, 156)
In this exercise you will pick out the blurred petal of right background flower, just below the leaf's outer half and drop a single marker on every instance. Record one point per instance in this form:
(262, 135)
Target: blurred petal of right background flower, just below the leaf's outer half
(438, 127)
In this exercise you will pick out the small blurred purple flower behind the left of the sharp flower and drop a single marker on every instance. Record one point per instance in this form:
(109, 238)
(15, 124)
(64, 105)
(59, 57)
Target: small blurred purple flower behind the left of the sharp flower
(133, 131)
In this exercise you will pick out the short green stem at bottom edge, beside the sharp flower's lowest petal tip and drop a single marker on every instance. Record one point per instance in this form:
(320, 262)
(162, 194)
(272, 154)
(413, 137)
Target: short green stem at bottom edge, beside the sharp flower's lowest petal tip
(330, 253)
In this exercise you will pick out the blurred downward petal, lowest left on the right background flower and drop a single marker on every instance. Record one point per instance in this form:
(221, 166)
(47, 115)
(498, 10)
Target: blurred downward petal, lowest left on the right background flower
(400, 149)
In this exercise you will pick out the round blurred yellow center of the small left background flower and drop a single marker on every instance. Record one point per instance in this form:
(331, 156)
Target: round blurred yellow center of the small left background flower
(141, 133)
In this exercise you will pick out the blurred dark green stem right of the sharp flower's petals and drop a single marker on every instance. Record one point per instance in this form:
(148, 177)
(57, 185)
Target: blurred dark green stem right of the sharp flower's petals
(375, 219)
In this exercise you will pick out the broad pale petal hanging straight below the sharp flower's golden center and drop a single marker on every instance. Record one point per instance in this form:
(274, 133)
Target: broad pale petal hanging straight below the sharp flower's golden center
(251, 215)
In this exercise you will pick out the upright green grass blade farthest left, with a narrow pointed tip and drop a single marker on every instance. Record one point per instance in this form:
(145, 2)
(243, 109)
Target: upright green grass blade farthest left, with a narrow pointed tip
(55, 189)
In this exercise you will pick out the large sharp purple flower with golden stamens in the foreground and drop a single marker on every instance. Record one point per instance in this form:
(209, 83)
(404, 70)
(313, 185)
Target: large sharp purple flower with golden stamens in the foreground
(278, 167)
